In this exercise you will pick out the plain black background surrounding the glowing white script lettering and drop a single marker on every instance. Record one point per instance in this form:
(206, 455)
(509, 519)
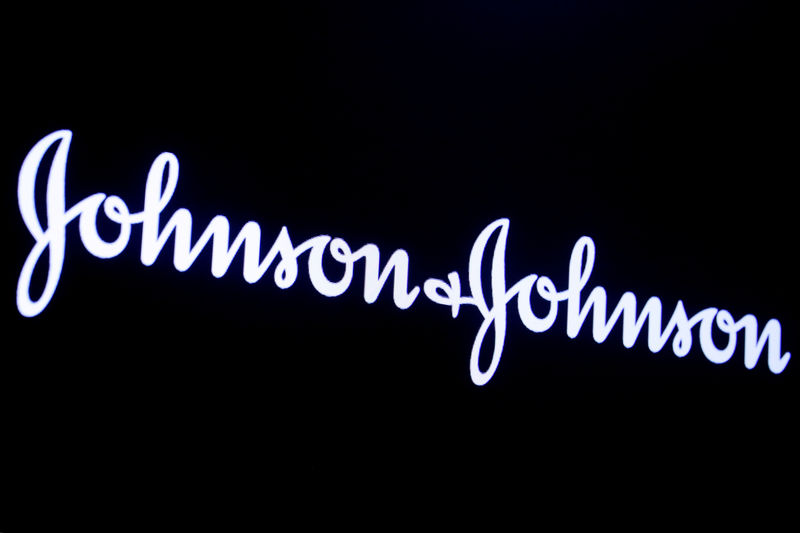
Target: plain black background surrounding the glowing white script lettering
(660, 129)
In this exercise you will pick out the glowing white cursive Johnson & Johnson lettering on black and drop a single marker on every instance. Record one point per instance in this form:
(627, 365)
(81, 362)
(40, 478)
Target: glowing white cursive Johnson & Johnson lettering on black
(50, 236)
